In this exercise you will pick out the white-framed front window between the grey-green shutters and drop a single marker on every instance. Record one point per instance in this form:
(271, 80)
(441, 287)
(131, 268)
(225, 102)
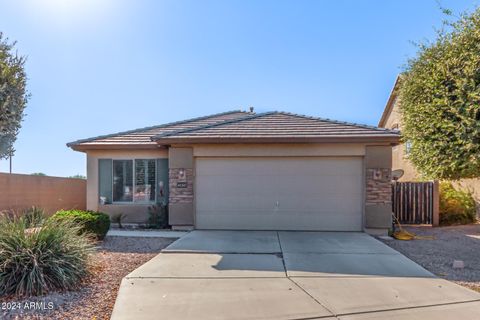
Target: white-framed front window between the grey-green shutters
(134, 180)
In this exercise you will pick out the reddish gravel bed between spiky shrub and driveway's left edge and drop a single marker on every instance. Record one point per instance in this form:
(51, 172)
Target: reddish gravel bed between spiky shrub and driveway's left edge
(116, 257)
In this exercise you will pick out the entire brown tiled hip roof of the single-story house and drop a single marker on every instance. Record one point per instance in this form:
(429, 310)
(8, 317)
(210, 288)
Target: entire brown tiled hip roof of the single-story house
(237, 126)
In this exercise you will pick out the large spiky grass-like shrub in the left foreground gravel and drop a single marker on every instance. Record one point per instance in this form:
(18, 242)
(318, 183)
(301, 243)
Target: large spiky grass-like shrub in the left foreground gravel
(33, 261)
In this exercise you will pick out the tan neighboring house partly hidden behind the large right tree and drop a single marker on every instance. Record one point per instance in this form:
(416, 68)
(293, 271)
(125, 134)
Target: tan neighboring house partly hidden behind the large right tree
(392, 119)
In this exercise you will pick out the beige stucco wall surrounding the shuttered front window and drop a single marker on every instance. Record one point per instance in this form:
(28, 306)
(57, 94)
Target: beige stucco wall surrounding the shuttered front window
(135, 213)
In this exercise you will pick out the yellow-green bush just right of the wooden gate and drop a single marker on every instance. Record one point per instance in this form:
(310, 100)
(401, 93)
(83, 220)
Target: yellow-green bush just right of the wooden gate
(456, 206)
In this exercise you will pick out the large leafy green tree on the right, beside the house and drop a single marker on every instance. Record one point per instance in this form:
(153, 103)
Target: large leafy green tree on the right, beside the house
(440, 102)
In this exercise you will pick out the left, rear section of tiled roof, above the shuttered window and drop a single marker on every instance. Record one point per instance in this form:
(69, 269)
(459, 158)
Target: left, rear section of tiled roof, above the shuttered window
(142, 137)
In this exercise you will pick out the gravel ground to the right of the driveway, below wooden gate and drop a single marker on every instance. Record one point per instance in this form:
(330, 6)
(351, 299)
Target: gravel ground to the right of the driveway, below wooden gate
(449, 244)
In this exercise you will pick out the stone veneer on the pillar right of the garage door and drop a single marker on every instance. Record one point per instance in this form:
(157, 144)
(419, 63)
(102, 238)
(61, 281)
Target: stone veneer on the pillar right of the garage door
(378, 191)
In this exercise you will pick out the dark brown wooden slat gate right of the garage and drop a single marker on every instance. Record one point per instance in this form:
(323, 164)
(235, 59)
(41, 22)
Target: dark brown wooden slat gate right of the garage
(415, 202)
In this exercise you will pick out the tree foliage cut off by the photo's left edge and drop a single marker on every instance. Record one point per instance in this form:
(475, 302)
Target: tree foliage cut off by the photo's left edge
(13, 95)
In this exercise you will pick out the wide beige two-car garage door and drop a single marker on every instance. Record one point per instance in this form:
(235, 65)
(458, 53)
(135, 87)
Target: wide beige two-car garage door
(314, 193)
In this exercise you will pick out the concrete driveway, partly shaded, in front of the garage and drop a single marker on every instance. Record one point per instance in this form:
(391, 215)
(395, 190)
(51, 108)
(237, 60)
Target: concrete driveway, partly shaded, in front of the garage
(288, 275)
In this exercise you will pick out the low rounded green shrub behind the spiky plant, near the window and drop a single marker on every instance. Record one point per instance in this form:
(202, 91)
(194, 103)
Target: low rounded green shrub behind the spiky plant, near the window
(94, 222)
